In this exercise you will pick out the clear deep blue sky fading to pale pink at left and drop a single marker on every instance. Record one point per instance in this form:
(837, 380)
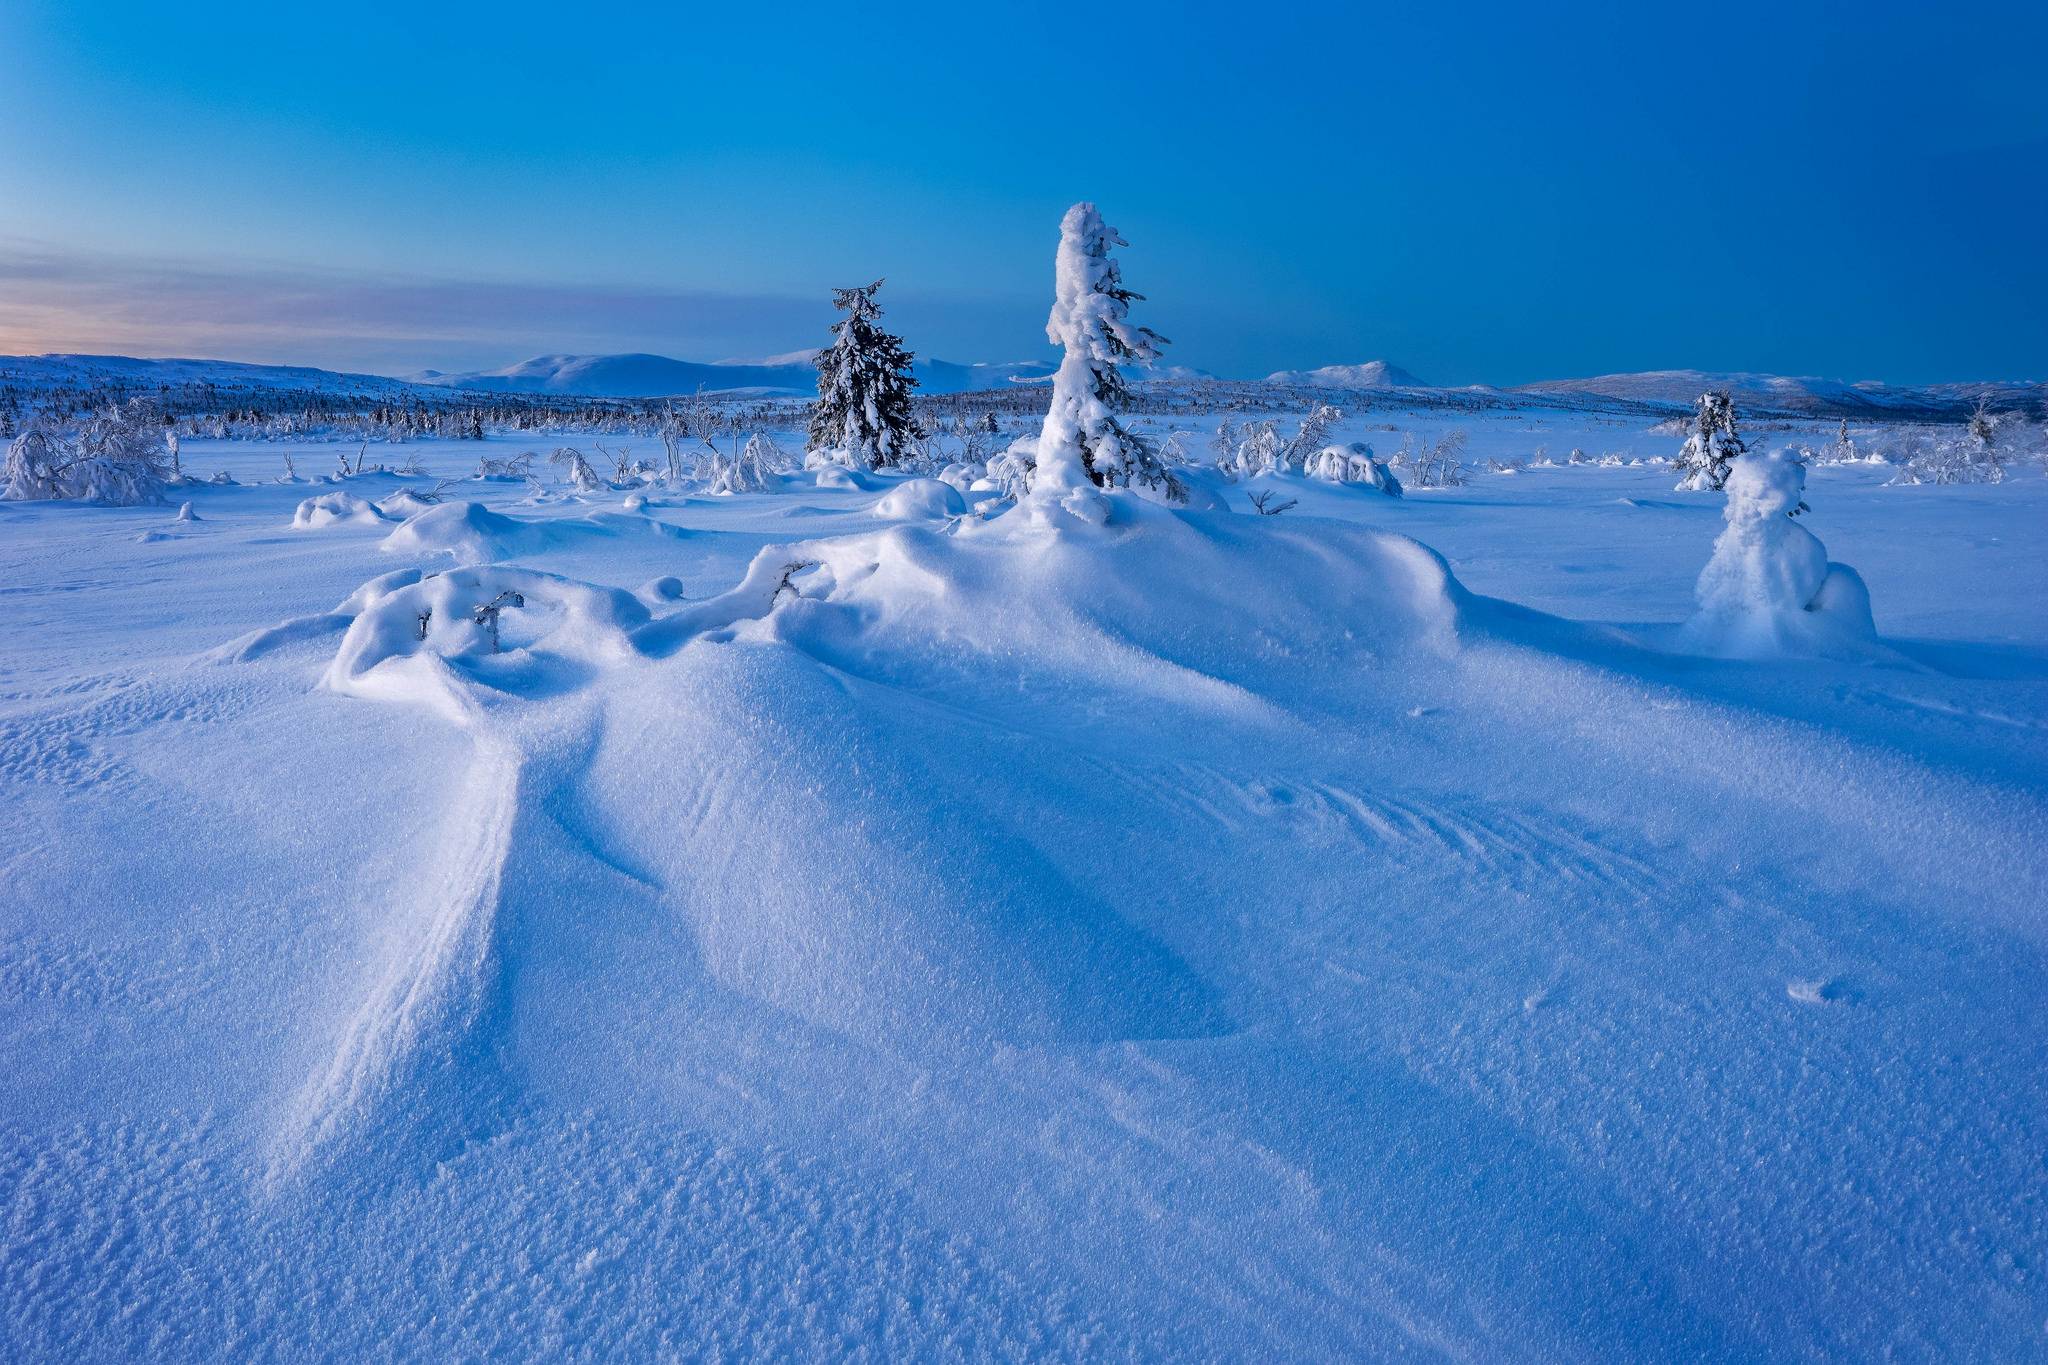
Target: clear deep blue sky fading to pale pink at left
(1482, 193)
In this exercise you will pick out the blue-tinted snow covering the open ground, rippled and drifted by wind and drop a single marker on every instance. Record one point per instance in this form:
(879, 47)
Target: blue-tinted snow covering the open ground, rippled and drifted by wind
(1379, 928)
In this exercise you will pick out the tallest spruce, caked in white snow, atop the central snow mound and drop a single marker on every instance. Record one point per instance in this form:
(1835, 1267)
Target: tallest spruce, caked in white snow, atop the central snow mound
(1082, 441)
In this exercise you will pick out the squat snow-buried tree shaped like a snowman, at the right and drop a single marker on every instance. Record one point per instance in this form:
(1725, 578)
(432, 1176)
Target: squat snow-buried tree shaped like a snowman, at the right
(1770, 590)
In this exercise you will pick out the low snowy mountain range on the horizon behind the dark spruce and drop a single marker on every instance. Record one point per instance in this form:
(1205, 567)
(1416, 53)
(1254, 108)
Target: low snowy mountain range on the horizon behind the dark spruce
(640, 376)
